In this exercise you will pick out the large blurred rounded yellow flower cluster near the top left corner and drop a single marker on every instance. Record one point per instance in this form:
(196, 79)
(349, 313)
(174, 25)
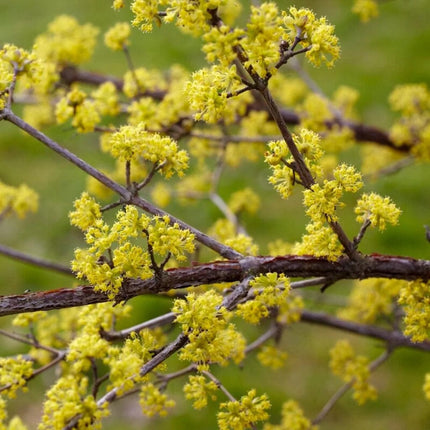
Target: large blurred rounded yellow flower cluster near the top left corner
(66, 41)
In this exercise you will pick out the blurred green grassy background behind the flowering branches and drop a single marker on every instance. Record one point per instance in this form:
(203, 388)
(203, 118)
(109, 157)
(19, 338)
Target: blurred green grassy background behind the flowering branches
(376, 56)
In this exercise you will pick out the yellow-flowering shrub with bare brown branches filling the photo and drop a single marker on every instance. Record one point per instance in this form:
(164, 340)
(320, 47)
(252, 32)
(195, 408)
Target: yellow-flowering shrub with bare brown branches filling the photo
(170, 136)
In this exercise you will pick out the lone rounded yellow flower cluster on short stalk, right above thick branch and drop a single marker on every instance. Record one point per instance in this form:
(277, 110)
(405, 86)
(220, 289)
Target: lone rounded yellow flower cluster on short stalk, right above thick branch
(378, 210)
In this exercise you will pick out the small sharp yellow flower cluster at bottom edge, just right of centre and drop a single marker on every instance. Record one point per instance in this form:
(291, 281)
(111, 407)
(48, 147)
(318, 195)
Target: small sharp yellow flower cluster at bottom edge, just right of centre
(244, 413)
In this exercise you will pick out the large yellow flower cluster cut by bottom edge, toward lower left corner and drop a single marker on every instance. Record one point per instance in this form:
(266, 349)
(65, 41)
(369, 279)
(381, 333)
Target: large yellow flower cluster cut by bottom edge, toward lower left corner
(68, 398)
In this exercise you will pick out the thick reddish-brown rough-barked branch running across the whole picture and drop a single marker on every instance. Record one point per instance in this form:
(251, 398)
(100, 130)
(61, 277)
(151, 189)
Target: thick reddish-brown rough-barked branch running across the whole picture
(372, 266)
